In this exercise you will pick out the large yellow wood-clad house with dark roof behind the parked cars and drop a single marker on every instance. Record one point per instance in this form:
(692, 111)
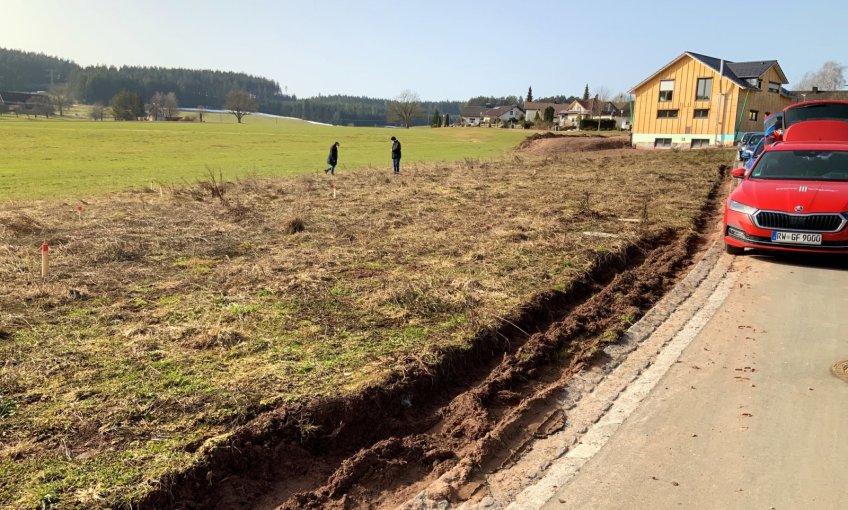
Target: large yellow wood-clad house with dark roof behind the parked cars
(696, 101)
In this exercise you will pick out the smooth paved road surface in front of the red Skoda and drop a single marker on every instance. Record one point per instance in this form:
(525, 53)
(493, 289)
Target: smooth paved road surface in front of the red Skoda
(750, 415)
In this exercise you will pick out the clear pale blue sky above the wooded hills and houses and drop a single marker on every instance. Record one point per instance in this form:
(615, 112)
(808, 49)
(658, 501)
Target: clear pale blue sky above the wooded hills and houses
(439, 49)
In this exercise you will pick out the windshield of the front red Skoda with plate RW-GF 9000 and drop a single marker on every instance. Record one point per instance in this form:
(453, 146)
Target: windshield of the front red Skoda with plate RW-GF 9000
(815, 165)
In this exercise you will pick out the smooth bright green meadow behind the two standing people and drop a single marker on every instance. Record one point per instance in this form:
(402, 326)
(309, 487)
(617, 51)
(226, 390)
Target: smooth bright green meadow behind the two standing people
(60, 158)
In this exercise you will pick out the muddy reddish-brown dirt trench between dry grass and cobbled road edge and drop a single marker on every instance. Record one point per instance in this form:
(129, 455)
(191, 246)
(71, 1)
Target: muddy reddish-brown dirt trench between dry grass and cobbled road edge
(467, 416)
